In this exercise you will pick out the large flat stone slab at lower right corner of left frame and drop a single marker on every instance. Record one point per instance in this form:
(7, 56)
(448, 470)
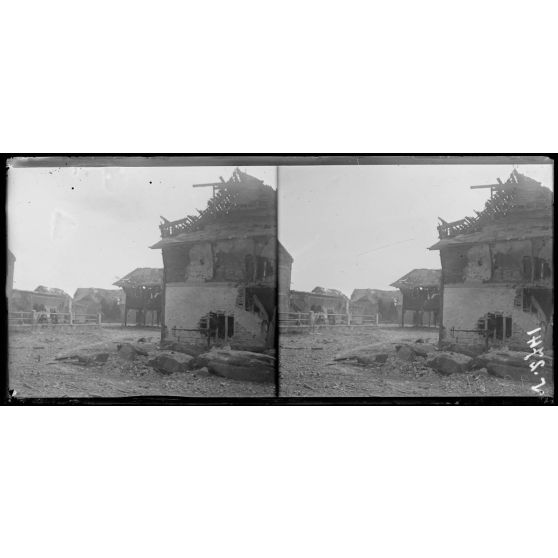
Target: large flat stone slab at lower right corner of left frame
(239, 365)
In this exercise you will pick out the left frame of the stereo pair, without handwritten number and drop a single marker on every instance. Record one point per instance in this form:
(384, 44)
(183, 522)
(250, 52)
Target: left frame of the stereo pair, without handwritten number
(142, 281)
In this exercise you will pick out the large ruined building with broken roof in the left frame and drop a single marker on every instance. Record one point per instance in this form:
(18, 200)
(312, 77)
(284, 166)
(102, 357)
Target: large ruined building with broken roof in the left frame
(220, 268)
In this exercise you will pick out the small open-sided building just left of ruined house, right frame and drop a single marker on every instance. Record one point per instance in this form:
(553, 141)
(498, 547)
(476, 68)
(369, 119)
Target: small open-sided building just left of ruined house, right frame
(421, 296)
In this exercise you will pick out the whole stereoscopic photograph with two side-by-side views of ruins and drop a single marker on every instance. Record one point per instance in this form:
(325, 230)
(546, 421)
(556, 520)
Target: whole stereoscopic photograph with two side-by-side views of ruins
(319, 281)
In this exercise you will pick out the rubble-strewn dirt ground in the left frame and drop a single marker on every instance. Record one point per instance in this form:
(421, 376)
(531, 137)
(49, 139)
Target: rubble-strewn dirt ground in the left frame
(33, 372)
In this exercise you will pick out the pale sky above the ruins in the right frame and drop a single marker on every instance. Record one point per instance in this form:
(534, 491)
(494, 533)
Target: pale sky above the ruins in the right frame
(367, 226)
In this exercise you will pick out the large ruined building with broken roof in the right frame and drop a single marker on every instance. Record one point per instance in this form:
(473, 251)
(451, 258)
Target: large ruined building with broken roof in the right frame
(497, 268)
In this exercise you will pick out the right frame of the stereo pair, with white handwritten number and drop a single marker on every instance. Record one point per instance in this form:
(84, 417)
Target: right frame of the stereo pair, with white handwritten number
(415, 280)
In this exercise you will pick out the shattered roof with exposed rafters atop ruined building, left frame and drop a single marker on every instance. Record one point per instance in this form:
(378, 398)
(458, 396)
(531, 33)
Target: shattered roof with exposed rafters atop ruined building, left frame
(242, 195)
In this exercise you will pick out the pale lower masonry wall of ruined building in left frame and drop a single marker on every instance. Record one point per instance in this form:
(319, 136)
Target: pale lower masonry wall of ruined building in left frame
(186, 304)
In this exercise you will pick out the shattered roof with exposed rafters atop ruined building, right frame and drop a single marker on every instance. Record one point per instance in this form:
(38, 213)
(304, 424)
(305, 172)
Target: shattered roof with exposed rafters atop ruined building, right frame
(517, 197)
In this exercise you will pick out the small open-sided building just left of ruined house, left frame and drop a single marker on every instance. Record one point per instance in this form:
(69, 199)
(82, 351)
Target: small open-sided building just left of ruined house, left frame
(143, 296)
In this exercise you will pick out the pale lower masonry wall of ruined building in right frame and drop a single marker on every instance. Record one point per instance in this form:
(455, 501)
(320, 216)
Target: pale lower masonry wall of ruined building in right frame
(464, 306)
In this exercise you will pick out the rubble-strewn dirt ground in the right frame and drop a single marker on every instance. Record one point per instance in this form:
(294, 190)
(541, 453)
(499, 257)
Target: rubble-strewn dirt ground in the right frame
(307, 369)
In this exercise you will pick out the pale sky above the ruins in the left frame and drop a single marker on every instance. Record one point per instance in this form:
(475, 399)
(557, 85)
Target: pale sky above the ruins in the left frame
(88, 227)
